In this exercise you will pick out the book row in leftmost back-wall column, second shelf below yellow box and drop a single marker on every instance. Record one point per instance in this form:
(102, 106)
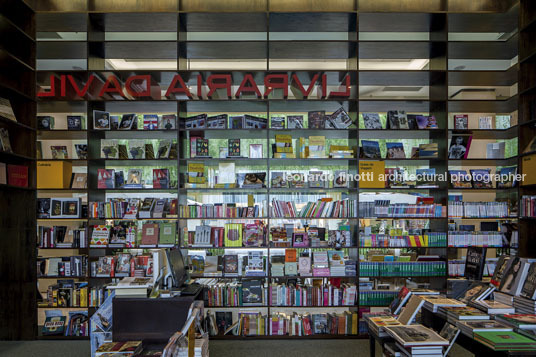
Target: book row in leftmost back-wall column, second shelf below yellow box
(61, 237)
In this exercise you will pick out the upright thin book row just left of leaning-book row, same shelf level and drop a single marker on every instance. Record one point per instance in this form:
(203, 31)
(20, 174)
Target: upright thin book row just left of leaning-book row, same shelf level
(220, 210)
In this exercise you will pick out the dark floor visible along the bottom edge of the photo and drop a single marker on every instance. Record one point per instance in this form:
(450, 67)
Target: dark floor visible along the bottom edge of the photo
(257, 348)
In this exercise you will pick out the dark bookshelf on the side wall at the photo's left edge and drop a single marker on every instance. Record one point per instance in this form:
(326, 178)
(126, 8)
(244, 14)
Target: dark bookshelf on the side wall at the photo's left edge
(17, 221)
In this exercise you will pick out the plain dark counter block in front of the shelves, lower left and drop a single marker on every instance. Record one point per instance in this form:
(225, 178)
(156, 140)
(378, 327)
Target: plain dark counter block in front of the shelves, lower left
(149, 320)
